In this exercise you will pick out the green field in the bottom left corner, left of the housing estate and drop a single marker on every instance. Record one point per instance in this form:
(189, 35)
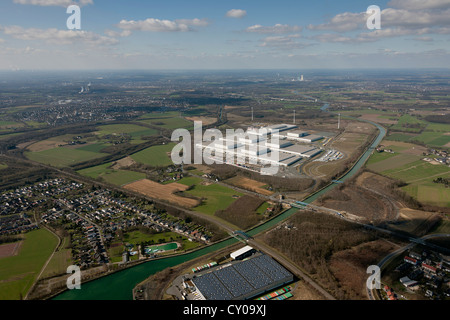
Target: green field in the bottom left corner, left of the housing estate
(18, 273)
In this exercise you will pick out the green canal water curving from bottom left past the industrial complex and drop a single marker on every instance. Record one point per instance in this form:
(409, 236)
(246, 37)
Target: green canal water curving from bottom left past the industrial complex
(119, 285)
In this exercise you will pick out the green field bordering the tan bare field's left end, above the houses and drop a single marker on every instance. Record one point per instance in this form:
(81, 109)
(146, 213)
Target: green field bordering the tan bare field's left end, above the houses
(116, 177)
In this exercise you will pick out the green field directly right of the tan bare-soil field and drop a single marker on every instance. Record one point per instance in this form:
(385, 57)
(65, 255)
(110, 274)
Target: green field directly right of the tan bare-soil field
(216, 197)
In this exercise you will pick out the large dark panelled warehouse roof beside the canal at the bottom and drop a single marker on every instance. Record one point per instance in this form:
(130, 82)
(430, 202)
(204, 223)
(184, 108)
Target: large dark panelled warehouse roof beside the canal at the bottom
(241, 279)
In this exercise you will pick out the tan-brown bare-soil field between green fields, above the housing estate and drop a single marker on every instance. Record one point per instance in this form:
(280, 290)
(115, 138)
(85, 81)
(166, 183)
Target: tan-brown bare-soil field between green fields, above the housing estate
(164, 192)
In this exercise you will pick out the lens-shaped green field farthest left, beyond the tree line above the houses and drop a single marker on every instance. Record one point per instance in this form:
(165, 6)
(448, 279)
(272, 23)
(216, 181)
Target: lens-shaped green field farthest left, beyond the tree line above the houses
(62, 157)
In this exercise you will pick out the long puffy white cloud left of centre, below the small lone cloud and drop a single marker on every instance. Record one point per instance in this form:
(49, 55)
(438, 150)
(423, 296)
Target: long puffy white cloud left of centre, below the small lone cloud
(156, 25)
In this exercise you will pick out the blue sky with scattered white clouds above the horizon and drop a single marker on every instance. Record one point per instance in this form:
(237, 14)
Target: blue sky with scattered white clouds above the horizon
(199, 34)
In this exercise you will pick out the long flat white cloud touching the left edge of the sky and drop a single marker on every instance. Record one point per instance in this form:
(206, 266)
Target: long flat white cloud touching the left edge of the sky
(56, 36)
